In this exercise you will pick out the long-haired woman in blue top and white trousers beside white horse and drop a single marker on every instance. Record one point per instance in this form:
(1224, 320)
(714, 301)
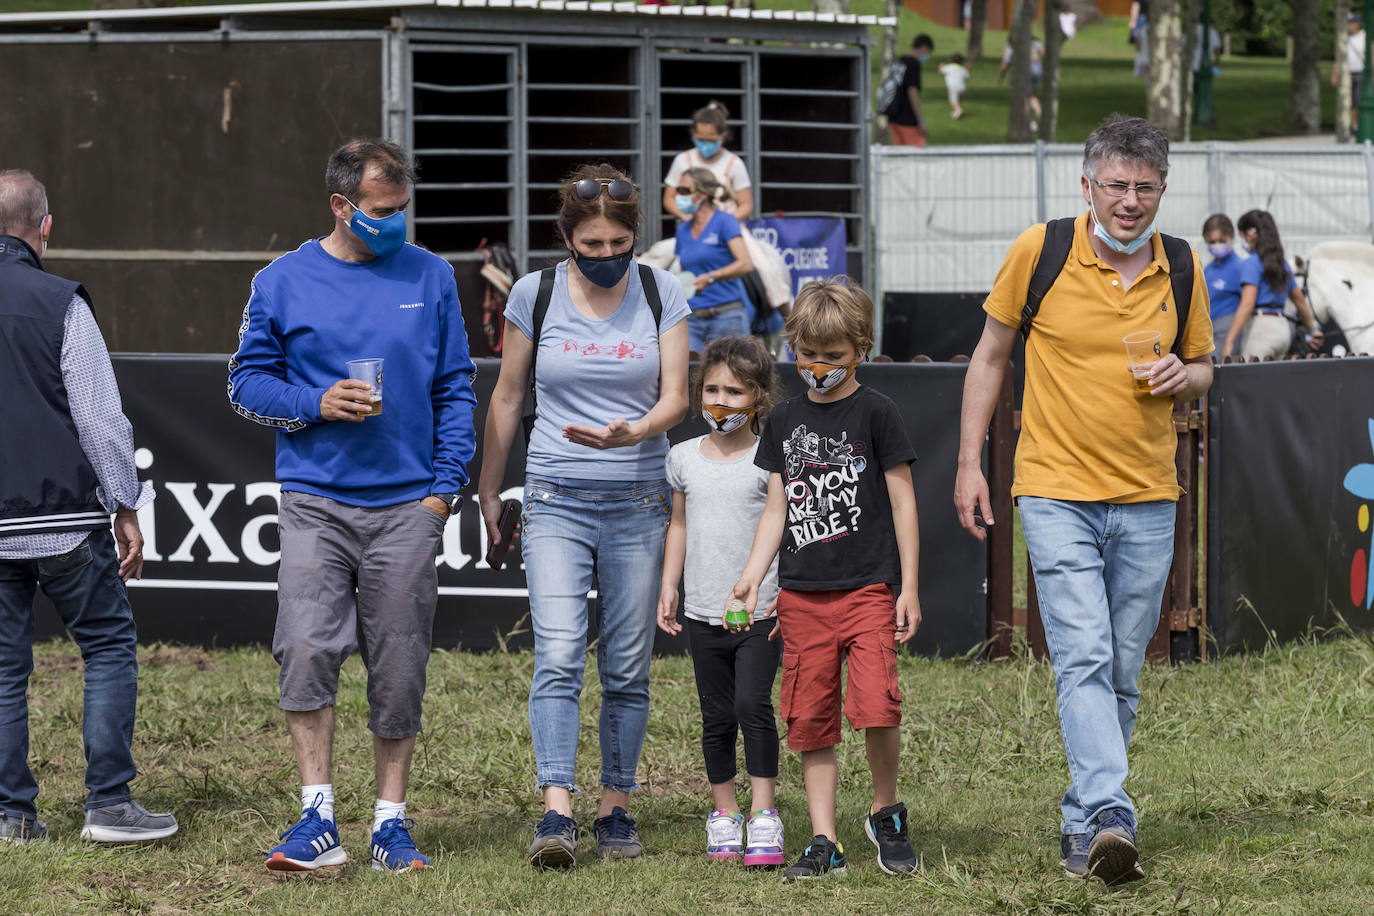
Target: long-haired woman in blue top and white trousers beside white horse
(1266, 284)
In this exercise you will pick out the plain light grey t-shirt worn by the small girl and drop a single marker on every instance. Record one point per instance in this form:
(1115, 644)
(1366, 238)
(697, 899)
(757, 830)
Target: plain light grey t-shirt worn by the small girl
(725, 502)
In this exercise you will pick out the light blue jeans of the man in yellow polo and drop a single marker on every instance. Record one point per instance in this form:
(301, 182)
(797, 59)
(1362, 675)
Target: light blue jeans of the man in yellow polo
(1100, 573)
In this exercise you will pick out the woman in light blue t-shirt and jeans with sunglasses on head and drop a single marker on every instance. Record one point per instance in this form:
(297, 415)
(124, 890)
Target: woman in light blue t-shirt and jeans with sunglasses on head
(607, 347)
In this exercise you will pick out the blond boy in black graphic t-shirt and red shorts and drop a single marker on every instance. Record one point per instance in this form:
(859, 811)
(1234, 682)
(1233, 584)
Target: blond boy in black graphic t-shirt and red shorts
(843, 510)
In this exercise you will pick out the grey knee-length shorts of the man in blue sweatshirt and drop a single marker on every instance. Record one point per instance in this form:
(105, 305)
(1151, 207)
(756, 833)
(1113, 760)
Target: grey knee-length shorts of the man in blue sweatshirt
(357, 580)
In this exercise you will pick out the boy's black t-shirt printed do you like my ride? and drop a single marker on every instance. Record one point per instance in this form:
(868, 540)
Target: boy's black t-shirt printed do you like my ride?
(839, 532)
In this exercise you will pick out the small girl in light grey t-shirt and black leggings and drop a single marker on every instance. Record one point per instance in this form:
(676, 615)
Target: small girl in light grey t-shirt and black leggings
(718, 499)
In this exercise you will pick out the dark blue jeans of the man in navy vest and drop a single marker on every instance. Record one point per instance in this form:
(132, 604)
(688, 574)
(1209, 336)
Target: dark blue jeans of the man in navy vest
(89, 594)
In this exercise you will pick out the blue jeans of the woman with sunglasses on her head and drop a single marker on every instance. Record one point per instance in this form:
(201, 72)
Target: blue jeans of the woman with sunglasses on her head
(575, 532)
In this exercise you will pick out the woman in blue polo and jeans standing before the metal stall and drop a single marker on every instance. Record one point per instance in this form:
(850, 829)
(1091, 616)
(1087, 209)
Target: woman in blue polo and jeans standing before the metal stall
(710, 245)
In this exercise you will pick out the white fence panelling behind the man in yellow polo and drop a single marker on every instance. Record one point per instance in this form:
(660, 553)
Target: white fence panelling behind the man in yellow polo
(946, 216)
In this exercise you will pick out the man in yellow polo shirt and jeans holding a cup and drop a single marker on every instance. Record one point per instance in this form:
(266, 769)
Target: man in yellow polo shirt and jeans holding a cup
(1094, 474)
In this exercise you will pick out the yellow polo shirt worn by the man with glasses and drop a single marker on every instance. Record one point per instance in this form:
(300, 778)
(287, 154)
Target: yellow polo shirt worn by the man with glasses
(1086, 433)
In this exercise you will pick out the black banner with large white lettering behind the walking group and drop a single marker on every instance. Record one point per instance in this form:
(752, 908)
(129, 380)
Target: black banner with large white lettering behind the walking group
(212, 540)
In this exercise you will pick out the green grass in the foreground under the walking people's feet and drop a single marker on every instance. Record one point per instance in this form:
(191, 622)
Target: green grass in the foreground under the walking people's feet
(1252, 777)
